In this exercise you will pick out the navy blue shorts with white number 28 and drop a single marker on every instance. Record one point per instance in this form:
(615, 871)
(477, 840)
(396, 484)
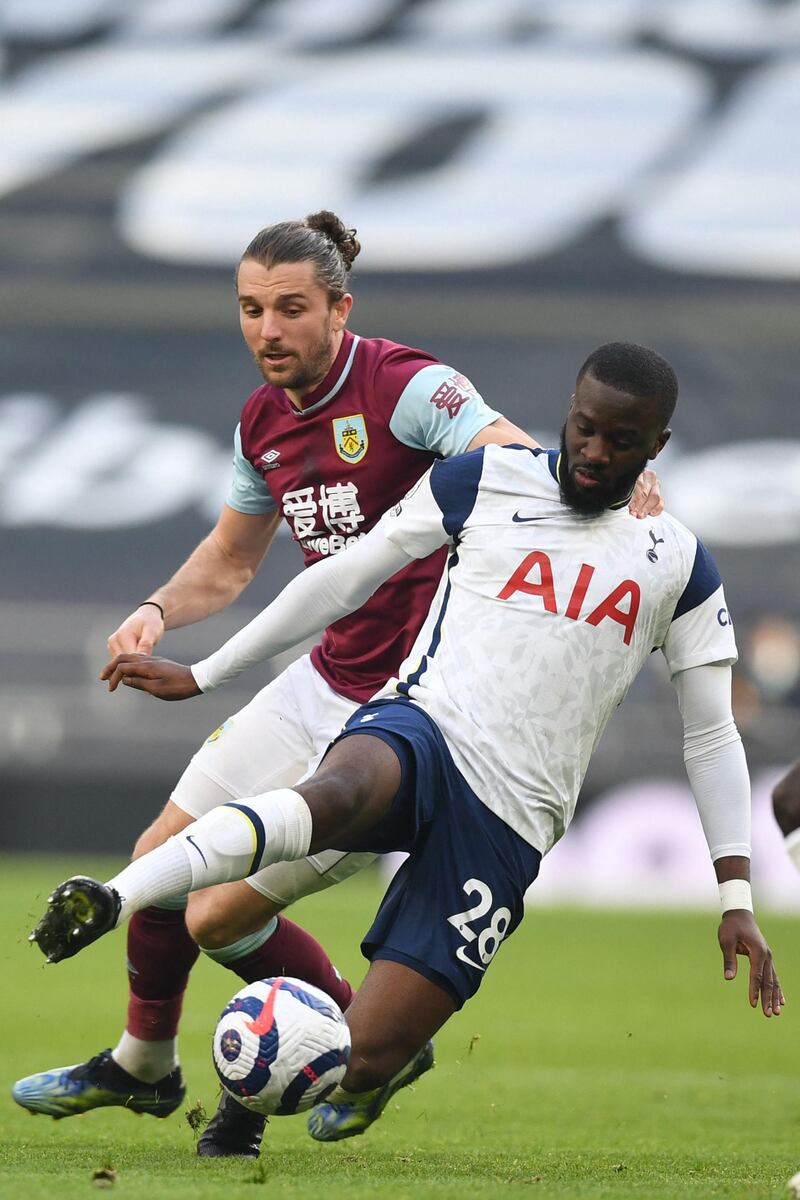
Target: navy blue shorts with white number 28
(460, 895)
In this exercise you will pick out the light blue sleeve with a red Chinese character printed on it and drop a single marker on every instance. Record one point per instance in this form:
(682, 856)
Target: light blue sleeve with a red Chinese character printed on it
(440, 411)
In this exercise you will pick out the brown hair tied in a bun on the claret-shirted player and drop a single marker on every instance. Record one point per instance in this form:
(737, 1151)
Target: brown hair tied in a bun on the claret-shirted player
(322, 239)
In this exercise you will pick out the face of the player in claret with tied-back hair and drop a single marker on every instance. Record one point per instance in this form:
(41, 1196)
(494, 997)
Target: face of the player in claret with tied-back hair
(290, 323)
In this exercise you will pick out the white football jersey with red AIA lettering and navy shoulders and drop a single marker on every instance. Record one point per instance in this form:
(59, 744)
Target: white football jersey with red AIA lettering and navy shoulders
(543, 621)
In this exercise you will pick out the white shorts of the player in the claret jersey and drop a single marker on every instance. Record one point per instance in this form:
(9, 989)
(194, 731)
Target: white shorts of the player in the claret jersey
(276, 741)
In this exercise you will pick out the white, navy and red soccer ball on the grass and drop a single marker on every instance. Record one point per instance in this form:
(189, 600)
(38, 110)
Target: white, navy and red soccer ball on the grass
(281, 1046)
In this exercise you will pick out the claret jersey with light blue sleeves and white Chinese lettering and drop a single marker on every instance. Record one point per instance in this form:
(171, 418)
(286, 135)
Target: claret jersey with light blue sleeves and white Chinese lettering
(375, 425)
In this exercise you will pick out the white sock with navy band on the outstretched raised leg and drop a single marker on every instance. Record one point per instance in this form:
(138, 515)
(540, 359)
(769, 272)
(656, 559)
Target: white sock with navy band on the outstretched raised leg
(230, 843)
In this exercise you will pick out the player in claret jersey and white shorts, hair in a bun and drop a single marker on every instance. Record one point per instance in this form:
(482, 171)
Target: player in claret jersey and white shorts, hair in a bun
(340, 429)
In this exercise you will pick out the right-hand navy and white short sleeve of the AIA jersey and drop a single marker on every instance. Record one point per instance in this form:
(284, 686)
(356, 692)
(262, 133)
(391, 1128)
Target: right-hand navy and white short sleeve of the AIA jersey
(701, 631)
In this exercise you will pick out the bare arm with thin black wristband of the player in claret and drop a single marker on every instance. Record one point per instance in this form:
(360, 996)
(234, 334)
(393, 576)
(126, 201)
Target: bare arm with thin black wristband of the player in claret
(214, 575)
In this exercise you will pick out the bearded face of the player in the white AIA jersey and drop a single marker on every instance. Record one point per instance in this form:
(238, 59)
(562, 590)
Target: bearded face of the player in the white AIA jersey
(606, 443)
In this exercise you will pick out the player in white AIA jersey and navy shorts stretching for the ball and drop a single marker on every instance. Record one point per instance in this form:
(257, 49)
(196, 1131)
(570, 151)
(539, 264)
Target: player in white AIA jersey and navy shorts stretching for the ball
(473, 757)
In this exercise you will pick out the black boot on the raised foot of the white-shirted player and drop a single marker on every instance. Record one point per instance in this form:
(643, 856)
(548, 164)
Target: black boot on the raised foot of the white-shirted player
(79, 913)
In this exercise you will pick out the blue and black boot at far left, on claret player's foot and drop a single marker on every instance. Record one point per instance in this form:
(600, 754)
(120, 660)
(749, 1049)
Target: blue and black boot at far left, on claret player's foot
(98, 1084)
